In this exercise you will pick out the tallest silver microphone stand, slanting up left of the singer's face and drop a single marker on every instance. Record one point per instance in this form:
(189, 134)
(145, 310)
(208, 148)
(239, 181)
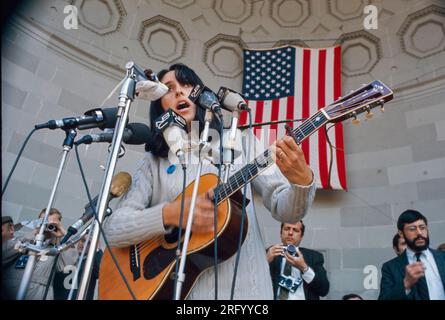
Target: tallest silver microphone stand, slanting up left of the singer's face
(126, 96)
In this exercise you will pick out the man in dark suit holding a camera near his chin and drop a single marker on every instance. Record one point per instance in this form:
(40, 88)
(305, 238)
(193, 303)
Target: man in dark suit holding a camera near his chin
(303, 272)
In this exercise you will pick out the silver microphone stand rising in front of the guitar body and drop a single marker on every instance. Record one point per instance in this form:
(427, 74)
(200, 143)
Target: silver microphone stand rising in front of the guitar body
(203, 144)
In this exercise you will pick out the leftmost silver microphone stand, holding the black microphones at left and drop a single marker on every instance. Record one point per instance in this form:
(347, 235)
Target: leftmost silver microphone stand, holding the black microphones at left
(40, 238)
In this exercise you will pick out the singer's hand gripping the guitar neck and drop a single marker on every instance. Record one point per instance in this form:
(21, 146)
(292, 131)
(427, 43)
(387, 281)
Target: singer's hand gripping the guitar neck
(290, 160)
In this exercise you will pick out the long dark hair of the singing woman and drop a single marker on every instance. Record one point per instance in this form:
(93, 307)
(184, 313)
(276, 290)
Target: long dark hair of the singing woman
(185, 76)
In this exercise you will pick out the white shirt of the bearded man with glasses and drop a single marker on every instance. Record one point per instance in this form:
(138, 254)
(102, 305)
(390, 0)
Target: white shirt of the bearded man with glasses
(433, 280)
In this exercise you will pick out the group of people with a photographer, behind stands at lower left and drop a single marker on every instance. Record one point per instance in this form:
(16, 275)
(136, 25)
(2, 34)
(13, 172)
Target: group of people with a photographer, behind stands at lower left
(45, 283)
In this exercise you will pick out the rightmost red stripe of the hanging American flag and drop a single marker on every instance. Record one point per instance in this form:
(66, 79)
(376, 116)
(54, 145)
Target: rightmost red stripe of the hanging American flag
(340, 153)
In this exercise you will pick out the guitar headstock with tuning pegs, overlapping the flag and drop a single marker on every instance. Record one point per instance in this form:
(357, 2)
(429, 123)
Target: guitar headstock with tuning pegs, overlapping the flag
(374, 94)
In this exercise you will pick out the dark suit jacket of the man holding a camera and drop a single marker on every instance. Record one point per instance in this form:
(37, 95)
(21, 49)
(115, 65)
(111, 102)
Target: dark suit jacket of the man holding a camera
(319, 286)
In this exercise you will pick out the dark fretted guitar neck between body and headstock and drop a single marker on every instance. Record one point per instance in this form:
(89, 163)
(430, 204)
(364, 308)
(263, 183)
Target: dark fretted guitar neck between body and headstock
(263, 161)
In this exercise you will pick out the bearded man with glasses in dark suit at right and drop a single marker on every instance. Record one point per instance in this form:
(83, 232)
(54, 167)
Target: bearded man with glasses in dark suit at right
(419, 272)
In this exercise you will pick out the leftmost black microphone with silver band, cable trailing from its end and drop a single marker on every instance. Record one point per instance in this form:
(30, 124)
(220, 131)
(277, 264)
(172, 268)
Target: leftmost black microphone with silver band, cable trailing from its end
(102, 118)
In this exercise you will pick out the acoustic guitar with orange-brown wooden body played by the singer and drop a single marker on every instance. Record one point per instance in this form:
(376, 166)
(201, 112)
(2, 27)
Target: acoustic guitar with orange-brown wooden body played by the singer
(148, 266)
